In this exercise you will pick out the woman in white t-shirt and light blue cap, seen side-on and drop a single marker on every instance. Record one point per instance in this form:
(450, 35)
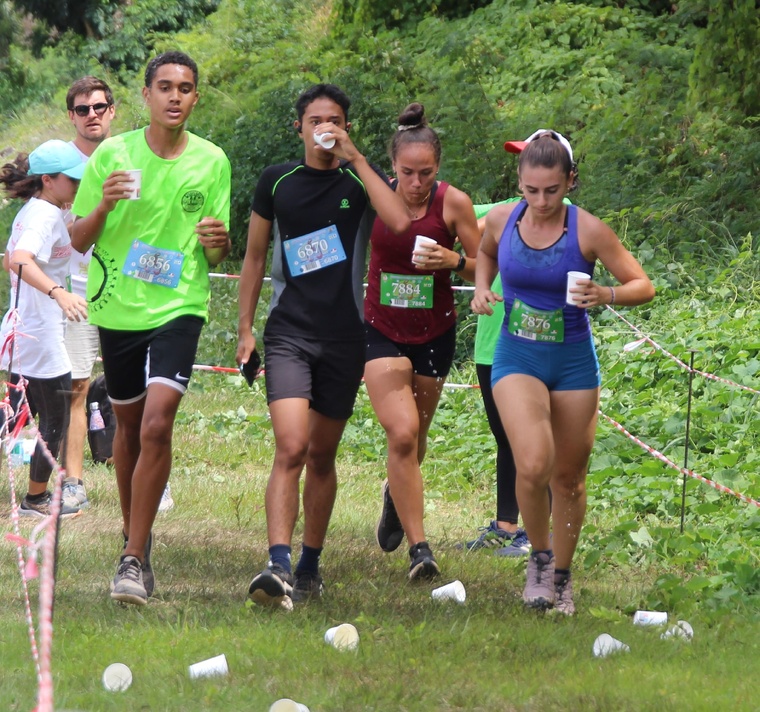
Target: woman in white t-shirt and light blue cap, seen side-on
(38, 252)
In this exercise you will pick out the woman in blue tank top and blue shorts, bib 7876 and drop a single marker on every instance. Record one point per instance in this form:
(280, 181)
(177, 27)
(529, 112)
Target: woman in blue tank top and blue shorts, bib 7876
(545, 374)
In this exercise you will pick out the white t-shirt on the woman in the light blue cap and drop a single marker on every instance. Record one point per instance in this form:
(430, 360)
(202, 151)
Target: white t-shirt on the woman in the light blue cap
(40, 351)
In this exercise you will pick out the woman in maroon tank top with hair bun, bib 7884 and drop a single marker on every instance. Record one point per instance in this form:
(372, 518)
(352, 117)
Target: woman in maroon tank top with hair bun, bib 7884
(410, 321)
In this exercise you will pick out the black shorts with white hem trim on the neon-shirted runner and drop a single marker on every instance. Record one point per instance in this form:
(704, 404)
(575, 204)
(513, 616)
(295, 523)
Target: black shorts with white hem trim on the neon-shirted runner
(132, 360)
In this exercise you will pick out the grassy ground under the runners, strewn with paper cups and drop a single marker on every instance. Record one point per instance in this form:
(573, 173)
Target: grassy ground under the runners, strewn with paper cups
(414, 654)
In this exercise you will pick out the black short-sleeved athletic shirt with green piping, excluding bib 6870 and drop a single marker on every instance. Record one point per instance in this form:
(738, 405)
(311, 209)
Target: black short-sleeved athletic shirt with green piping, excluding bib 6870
(325, 304)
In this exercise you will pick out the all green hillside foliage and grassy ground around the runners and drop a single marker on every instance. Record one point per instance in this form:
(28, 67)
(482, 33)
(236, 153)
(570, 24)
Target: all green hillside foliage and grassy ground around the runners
(669, 163)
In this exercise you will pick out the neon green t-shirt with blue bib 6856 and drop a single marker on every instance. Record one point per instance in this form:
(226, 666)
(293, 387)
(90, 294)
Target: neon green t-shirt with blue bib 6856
(148, 266)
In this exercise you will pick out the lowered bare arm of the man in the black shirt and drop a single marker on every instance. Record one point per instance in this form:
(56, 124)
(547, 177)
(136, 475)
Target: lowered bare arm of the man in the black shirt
(251, 279)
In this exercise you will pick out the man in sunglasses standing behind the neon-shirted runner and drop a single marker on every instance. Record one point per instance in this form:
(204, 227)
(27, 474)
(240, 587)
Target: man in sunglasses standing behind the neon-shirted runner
(90, 104)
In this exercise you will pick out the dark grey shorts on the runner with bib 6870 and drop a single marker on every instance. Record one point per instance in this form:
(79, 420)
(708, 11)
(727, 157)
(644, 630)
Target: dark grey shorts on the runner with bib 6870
(326, 373)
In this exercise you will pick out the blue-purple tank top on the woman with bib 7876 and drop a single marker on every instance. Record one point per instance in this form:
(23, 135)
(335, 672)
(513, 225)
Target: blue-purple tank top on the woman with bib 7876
(539, 277)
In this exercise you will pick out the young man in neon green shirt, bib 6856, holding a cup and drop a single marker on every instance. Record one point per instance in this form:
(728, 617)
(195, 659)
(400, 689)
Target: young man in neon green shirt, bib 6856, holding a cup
(148, 288)
